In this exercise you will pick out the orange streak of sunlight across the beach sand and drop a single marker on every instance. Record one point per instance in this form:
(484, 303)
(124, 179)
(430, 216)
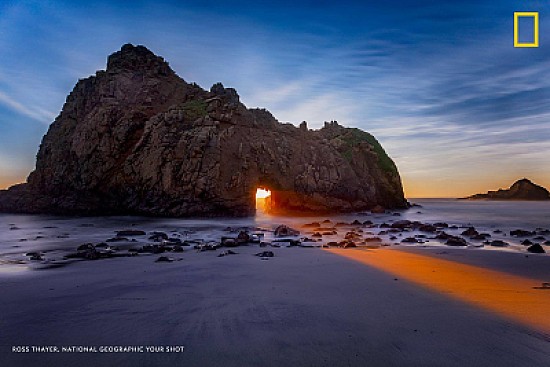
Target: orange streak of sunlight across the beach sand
(509, 295)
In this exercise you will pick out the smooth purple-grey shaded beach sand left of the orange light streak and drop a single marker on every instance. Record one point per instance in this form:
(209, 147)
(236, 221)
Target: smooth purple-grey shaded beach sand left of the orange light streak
(304, 307)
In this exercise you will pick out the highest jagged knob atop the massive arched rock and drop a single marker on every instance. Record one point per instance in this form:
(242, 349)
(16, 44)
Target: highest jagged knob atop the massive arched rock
(137, 58)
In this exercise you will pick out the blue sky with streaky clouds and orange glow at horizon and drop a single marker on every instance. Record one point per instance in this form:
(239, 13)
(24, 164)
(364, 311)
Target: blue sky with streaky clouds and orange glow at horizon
(438, 83)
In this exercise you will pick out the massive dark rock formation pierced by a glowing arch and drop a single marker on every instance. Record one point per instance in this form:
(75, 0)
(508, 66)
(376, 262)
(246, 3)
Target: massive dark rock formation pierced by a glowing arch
(138, 139)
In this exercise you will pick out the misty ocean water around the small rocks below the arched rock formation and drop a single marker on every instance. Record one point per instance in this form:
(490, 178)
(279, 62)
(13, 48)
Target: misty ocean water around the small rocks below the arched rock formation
(57, 236)
